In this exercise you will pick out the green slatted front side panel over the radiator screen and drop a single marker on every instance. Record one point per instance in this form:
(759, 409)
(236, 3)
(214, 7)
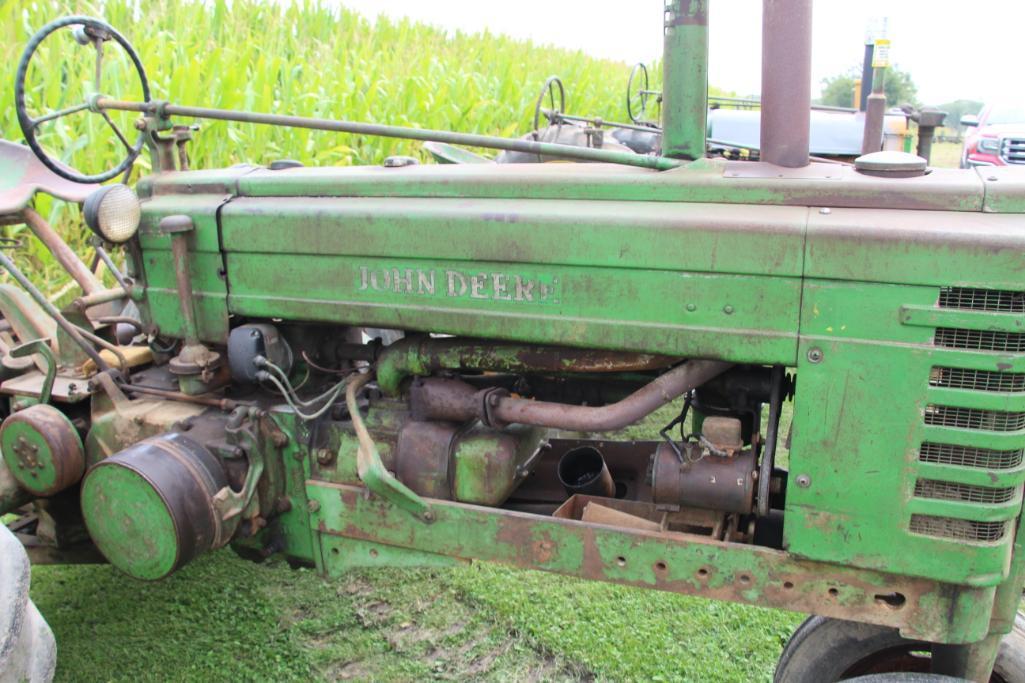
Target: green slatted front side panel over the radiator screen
(860, 422)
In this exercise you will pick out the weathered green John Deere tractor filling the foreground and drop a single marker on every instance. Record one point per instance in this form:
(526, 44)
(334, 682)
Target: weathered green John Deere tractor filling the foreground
(422, 365)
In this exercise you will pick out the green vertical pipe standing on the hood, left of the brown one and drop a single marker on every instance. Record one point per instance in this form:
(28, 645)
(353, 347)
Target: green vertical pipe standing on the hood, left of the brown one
(685, 79)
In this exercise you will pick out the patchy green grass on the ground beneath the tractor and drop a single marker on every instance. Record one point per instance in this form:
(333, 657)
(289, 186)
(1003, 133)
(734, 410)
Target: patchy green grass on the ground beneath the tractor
(223, 619)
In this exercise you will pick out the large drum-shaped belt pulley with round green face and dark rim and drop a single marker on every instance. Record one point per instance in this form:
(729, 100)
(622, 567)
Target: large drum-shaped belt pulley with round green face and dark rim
(150, 508)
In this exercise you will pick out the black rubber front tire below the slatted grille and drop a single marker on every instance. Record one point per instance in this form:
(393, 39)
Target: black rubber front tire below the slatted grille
(826, 651)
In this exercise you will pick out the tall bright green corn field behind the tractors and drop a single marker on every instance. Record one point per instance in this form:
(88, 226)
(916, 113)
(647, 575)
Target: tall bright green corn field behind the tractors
(308, 59)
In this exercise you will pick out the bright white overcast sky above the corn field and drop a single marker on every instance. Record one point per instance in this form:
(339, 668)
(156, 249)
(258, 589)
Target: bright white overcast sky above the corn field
(953, 50)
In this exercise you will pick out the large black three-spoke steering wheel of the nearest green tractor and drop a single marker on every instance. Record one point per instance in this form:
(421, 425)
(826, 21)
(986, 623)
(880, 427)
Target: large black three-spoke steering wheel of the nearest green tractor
(89, 31)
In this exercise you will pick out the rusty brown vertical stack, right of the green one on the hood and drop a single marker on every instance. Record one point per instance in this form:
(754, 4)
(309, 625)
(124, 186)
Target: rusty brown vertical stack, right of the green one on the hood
(787, 82)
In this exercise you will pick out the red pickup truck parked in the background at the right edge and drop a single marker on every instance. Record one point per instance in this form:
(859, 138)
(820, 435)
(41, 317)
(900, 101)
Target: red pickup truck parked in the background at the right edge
(996, 137)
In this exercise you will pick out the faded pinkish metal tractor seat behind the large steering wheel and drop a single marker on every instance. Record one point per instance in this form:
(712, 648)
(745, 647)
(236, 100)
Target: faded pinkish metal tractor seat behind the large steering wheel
(22, 176)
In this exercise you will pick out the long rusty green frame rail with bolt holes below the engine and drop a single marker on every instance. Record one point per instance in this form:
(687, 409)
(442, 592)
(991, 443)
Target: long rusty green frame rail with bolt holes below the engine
(744, 574)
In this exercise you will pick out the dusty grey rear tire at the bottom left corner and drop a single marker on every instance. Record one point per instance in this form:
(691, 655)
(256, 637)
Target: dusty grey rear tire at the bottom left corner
(28, 652)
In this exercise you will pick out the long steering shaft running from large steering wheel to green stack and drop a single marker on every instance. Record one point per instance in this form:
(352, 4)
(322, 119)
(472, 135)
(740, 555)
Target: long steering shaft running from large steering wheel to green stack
(424, 135)
